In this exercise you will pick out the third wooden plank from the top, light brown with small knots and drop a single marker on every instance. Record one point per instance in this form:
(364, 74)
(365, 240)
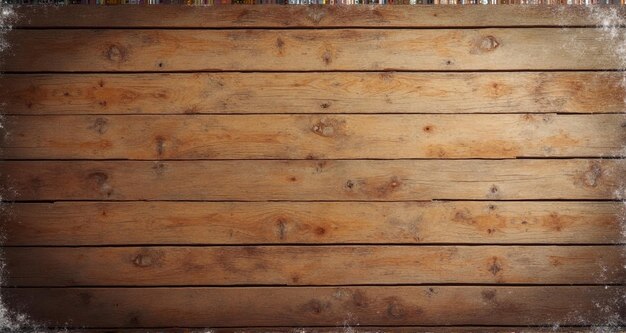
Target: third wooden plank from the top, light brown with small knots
(337, 92)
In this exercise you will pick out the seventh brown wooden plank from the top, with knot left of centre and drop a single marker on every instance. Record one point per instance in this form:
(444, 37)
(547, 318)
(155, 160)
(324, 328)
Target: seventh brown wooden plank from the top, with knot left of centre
(312, 265)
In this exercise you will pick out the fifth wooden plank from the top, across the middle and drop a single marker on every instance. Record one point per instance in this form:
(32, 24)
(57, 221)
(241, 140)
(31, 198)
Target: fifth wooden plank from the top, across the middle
(314, 180)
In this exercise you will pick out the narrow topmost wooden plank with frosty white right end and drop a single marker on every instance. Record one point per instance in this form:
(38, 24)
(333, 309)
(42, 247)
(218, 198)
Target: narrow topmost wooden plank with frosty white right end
(309, 16)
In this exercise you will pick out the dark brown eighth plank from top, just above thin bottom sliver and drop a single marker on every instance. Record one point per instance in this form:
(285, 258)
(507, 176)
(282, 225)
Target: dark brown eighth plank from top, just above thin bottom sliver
(209, 307)
